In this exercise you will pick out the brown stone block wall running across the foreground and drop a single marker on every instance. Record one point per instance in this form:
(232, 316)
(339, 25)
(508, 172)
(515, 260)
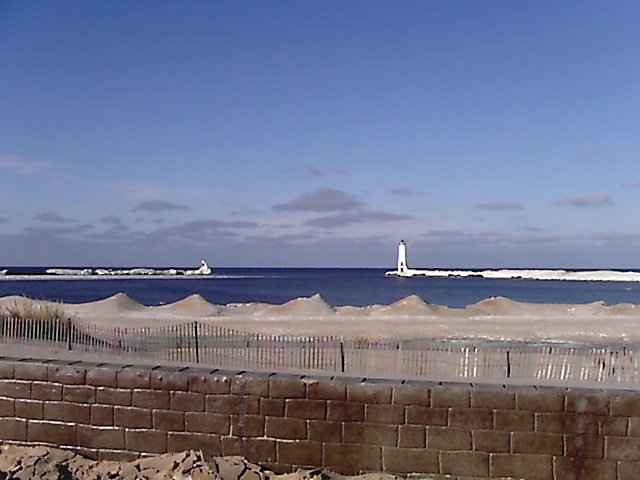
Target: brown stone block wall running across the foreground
(347, 425)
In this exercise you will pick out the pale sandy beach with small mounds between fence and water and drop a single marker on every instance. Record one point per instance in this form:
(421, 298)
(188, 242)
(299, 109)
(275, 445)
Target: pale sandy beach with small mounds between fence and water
(410, 318)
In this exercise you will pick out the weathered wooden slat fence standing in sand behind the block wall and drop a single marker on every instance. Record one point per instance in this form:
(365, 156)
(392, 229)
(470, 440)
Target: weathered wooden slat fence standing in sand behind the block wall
(210, 345)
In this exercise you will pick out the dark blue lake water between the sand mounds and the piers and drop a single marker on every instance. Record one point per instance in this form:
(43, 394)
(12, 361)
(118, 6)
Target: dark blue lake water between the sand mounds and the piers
(352, 286)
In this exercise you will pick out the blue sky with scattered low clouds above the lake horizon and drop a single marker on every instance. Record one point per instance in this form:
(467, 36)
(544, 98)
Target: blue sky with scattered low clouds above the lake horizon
(486, 134)
